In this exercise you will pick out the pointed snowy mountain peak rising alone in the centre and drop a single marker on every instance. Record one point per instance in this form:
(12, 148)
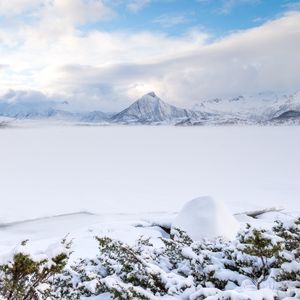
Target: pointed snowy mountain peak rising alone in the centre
(150, 109)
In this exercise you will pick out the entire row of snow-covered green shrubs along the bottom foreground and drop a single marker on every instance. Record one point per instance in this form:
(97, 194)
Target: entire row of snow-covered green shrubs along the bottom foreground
(267, 260)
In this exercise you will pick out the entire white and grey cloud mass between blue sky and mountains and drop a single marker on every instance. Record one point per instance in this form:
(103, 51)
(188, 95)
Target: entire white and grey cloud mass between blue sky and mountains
(106, 70)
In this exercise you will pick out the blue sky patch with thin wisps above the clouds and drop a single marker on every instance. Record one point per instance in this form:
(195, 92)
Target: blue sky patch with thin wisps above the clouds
(217, 17)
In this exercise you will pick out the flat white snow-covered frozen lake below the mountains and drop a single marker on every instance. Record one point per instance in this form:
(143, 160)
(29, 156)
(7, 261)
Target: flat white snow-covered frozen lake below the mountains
(52, 170)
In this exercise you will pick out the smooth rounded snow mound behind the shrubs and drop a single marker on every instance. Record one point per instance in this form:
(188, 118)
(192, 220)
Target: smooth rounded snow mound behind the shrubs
(204, 217)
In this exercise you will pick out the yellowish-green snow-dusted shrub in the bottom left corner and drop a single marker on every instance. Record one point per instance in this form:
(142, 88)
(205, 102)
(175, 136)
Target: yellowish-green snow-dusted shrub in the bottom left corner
(27, 276)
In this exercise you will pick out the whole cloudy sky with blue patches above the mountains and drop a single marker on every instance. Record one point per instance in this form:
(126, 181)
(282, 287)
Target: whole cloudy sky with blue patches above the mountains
(104, 54)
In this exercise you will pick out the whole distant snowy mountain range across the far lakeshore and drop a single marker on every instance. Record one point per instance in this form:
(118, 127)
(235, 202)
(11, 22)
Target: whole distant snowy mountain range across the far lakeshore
(263, 109)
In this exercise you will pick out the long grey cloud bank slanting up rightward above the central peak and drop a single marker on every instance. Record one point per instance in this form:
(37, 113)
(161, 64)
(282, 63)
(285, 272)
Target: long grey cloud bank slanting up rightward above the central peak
(263, 58)
